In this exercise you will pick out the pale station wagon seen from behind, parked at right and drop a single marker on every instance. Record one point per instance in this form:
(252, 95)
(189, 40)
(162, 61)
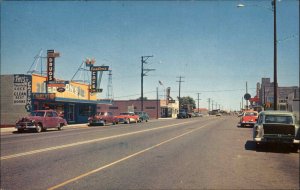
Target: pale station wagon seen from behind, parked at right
(276, 127)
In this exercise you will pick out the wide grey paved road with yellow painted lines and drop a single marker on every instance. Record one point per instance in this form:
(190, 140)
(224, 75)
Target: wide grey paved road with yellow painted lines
(197, 153)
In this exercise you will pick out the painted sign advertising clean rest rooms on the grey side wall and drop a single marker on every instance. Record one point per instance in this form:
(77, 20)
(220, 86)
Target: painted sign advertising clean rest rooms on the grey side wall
(22, 89)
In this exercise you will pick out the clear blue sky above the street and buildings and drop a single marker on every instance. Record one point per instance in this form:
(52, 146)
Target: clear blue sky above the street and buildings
(213, 45)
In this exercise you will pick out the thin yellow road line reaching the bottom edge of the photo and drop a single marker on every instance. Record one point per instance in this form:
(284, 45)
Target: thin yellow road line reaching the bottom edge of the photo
(123, 159)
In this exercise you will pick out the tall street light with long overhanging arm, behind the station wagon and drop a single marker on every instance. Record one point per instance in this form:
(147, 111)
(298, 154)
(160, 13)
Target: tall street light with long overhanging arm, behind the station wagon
(240, 5)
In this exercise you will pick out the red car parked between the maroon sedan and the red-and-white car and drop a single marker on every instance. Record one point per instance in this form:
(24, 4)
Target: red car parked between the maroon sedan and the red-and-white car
(102, 118)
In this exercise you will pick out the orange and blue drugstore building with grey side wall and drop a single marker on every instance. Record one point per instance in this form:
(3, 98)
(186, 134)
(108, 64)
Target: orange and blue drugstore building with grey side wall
(20, 94)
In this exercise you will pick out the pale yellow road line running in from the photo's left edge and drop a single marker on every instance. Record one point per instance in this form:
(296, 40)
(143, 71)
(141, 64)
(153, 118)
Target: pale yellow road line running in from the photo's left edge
(87, 142)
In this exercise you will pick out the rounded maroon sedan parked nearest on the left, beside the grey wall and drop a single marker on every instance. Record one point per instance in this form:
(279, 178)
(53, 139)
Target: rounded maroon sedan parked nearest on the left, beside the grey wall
(41, 120)
